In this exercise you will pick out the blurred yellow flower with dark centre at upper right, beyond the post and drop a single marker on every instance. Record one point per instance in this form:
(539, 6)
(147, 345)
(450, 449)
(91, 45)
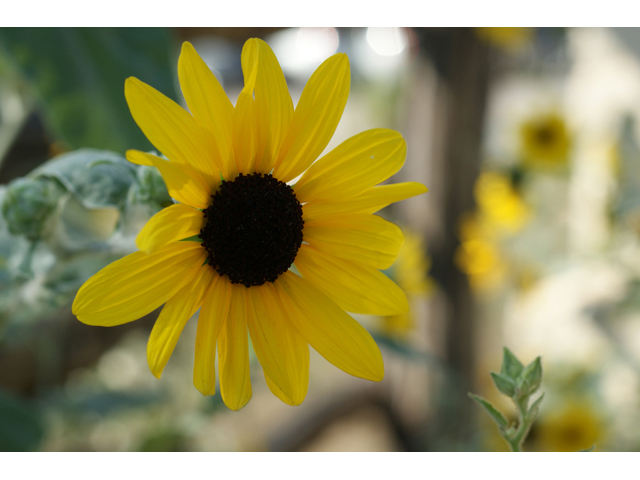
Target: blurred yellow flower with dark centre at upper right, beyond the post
(545, 141)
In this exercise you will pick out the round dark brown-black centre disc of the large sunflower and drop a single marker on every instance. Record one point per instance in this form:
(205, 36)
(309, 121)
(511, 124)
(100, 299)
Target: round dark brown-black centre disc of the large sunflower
(253, 229)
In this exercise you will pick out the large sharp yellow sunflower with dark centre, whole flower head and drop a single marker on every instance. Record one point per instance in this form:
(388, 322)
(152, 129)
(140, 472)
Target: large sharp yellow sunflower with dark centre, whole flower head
(240, 224)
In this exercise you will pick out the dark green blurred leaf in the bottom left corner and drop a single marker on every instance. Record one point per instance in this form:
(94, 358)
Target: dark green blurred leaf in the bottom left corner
(21, 428)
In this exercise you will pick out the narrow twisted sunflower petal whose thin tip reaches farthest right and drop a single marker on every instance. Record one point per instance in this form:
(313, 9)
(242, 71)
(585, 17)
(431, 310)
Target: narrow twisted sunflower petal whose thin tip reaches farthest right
(370, 201)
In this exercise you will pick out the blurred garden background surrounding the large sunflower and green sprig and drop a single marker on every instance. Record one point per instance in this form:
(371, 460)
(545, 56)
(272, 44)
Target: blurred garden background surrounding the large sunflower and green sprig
(529, 237)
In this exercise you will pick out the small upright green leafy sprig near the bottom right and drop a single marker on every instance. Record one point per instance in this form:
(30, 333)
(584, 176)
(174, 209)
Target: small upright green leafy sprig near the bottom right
(518, 383)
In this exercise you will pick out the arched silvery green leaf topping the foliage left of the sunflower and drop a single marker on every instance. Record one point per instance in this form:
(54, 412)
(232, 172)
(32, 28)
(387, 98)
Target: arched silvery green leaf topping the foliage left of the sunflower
(97, 178)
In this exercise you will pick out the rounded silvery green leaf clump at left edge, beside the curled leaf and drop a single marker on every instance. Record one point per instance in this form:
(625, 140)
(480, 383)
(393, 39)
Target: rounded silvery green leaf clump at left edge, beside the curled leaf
(28, 204)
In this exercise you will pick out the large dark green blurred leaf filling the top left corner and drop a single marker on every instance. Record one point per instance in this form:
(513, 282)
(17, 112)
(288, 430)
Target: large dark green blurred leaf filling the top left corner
(79, 75)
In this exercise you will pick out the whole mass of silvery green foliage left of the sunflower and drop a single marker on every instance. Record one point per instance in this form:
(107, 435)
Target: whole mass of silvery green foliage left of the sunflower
(65, 221)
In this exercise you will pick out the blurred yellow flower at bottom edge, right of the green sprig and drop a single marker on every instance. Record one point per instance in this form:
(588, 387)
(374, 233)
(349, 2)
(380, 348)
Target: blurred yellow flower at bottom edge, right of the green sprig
(573, 427)
